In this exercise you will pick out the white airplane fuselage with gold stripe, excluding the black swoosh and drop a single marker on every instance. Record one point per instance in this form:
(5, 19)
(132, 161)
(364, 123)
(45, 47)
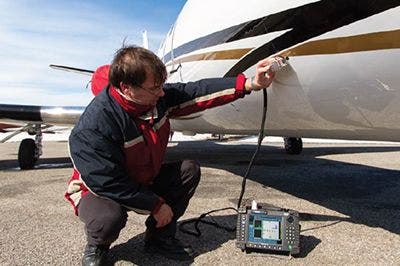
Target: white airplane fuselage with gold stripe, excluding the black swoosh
(342, 83)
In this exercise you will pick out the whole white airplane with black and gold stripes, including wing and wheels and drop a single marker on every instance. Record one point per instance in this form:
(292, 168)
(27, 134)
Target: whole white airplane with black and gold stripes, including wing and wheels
(341, 81)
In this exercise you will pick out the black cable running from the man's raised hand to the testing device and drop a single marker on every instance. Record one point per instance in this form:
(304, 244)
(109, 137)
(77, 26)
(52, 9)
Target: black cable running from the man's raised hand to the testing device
(200, 219)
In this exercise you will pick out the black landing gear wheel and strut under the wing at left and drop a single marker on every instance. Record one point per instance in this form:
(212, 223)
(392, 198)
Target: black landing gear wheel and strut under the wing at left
(29, 149)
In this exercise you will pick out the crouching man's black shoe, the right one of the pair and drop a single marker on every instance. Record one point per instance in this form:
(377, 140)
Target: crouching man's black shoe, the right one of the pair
(169, 247)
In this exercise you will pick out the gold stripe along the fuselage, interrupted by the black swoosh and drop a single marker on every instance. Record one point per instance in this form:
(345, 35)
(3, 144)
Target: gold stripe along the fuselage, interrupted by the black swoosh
(349, 44)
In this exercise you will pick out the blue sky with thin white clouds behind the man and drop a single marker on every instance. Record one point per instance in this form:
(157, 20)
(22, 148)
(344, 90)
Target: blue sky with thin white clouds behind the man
(82, 34)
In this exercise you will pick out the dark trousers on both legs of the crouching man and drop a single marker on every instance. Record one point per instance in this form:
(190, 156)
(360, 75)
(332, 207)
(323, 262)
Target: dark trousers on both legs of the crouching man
(105, 218)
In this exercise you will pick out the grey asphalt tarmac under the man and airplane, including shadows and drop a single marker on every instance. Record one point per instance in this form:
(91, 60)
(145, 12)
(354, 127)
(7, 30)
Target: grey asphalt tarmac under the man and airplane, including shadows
(347, 196)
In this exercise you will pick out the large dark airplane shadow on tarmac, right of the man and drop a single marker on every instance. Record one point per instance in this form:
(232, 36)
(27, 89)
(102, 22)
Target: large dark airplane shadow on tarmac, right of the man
(366, 194)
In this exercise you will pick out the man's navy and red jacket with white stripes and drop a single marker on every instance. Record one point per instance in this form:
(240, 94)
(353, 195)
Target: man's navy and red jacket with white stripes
(117, 152)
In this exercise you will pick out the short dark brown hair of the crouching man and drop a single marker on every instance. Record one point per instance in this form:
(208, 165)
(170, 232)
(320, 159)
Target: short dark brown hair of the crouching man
(129, 67)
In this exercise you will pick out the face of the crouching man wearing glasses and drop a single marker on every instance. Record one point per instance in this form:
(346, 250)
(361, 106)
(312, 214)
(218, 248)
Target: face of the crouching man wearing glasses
(147, 93)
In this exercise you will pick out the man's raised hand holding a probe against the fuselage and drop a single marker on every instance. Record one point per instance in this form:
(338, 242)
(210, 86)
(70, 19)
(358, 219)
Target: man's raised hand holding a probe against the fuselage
(264, 74)
